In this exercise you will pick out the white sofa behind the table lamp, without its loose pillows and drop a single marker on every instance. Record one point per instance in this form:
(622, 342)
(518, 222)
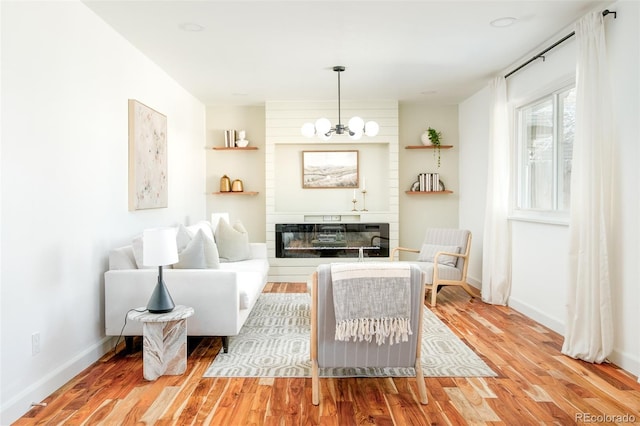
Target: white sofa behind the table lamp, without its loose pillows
(222, 297)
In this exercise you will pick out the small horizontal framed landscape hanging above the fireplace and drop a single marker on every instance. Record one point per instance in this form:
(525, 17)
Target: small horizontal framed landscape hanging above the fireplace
(329, 169)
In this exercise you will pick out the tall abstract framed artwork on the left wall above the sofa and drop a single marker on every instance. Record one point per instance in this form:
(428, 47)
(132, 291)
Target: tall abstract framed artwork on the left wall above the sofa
(148, 181)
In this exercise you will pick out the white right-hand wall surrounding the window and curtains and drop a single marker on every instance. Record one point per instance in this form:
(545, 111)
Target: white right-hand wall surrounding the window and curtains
(540, 250)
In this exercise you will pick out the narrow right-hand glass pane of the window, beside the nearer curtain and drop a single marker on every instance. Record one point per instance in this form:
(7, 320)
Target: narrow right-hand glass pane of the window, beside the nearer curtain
(567, 107)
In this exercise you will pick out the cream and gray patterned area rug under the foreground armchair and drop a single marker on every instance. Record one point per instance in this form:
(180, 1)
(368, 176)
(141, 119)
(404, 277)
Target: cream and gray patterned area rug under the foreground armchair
(274, 342)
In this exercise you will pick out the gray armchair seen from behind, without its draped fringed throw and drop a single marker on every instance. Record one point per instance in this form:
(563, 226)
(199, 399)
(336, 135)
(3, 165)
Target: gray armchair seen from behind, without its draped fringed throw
(326, 351)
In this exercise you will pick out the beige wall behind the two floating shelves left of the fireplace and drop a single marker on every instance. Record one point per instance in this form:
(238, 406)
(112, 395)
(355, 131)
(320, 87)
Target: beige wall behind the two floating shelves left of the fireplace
(247, 166)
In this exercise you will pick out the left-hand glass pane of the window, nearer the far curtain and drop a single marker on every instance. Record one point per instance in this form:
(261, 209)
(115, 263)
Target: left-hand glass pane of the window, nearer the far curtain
(538, 153)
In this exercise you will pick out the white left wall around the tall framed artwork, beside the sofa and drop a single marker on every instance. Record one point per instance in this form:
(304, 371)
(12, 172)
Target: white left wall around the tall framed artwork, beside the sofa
(66, 79)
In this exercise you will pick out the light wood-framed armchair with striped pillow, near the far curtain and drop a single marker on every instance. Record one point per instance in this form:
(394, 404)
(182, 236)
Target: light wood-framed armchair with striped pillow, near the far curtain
(444, 257)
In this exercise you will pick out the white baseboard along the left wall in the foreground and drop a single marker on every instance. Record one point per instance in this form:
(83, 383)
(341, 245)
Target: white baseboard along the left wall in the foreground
(18, 405)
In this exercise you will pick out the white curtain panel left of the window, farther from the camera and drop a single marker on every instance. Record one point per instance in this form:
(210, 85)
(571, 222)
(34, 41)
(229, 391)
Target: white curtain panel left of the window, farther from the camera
(496, 246)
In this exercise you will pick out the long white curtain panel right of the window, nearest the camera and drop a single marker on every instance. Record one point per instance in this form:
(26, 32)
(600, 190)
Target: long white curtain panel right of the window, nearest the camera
(589, 327)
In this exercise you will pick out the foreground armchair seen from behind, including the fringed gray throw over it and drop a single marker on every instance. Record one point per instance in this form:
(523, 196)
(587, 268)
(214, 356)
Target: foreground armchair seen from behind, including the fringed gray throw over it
(376, 287)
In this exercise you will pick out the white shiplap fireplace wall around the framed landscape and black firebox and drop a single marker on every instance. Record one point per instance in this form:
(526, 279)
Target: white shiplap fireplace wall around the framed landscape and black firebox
(287, 202)
